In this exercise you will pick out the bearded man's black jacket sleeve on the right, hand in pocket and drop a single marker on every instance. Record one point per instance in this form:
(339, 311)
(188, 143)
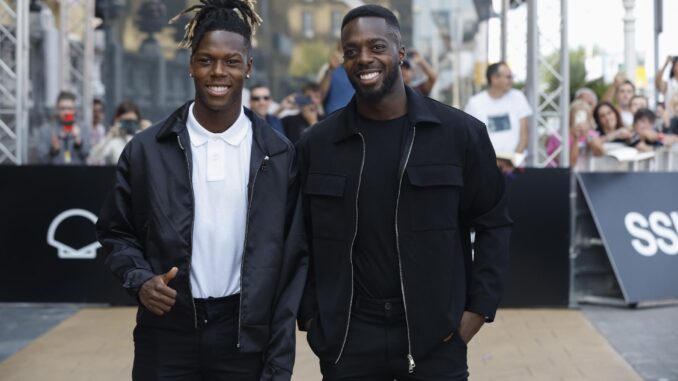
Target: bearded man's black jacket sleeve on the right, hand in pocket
(484, 209)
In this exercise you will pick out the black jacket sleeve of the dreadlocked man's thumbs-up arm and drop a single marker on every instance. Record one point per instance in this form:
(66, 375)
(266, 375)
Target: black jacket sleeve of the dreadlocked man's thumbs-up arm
(117, 233)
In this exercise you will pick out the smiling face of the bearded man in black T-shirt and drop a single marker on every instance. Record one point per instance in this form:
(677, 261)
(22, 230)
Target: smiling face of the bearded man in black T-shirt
(371, 57)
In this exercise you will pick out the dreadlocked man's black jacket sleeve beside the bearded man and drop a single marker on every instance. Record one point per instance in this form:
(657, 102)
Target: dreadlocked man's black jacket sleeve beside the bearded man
(280, 351)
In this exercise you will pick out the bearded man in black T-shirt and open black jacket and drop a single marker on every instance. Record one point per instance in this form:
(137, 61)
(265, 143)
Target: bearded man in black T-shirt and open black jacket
(393, 184)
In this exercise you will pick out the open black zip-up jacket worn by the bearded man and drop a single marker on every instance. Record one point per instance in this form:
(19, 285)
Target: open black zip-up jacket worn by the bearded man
(449, 184)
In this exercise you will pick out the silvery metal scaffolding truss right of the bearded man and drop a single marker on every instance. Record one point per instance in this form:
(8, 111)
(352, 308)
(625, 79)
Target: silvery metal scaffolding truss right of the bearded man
(550, 106)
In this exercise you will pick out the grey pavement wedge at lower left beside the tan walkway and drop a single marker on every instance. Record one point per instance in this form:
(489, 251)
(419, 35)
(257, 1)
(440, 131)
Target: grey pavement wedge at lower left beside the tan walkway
(21, 324)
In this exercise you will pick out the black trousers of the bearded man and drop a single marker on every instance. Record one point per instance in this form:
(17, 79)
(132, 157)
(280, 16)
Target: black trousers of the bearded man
(376, 349)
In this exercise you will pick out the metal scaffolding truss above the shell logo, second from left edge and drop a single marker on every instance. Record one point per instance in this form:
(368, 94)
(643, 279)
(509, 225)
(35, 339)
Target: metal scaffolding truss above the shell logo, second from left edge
(76, 35)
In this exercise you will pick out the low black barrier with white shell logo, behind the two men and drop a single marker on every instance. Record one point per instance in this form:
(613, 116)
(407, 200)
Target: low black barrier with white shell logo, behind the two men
(33, 271)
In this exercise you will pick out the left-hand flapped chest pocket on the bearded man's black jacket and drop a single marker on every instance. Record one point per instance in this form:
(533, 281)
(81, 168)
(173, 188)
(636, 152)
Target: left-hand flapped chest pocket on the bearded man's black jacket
(327, 205)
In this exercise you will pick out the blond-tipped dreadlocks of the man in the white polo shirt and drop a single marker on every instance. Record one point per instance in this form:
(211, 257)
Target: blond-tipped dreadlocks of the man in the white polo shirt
(237, 16)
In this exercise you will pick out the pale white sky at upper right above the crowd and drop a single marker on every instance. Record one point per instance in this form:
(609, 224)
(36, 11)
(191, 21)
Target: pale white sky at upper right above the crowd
(591, 23)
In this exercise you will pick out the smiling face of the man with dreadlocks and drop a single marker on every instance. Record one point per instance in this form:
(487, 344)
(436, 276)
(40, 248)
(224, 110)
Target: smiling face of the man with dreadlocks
(219, 65)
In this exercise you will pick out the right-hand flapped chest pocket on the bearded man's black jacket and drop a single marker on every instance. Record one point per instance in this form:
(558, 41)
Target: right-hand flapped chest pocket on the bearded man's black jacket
(434, 196)
